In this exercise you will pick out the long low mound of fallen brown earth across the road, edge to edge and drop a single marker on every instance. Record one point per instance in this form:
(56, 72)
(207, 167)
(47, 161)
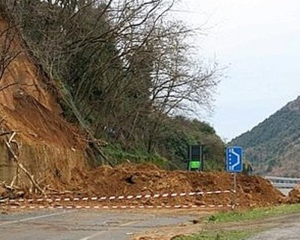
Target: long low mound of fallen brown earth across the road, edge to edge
(125, 183)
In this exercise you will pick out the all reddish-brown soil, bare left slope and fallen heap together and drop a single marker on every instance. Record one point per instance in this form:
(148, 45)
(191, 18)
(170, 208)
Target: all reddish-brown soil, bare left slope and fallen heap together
(53, 150)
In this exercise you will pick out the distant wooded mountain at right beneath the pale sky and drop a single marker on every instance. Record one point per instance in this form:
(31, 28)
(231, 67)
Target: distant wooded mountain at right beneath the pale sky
(273, 146)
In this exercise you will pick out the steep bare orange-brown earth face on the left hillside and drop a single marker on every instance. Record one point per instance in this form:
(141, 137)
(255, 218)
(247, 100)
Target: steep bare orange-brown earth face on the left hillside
(47, 145)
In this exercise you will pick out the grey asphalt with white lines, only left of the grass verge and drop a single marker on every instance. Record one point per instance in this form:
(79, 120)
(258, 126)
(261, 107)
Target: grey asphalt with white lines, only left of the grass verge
(84, 224)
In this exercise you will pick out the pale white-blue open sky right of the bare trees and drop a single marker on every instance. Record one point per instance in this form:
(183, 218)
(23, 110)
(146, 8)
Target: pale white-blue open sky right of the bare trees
(259, 41)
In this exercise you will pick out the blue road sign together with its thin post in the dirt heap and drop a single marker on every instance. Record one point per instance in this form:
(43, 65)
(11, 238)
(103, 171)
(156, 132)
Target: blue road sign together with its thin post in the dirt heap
(234, 164)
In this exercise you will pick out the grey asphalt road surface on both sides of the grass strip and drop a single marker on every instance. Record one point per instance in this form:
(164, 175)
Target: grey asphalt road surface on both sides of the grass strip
(123, 224)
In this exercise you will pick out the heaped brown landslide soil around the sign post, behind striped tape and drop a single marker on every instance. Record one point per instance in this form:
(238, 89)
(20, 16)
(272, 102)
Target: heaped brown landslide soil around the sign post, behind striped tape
(147, 179)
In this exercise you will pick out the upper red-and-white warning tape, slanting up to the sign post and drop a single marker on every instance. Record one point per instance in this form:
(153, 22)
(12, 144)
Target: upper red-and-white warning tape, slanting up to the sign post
(122, 197)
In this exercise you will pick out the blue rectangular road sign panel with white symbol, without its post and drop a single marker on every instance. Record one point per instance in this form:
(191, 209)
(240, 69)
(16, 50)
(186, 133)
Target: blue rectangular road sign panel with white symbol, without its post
(234, 159)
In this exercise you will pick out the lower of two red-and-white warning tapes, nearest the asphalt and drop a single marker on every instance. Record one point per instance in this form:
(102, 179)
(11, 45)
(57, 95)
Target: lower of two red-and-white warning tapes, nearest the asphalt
(117, 207)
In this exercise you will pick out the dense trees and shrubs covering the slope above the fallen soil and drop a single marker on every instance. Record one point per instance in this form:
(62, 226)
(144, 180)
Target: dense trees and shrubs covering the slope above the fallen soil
(123, 70)
